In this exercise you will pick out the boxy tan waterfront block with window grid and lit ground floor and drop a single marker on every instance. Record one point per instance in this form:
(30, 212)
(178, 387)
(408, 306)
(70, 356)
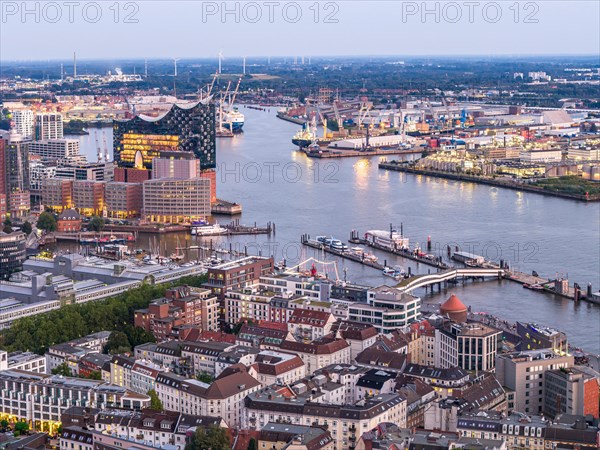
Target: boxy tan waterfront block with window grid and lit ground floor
(171, 200)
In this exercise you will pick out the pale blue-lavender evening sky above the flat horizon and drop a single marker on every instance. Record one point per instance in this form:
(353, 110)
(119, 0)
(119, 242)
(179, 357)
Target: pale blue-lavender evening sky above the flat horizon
(53, 30)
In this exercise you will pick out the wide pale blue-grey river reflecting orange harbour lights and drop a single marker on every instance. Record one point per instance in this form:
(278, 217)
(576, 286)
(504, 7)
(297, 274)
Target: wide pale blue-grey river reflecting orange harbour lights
(261, 170)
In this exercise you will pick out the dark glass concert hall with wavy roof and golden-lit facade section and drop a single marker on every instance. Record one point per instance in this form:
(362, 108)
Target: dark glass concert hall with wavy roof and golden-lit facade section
(188, 129)
